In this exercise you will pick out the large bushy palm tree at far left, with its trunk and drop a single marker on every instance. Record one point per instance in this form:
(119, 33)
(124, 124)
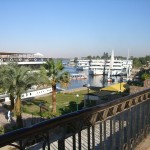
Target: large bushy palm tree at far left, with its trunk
(17, 80)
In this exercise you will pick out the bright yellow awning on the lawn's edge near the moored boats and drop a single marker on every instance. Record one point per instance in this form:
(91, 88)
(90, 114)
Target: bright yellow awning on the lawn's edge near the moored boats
(116, 87)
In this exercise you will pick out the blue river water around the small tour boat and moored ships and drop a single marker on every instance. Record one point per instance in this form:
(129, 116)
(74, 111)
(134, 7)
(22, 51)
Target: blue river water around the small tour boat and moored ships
(96, 81)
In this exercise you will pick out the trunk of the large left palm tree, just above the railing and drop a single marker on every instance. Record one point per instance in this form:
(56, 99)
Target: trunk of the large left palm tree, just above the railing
(18, 112)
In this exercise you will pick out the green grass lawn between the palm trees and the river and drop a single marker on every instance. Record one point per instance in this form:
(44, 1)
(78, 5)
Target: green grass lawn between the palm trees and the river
(65, 103)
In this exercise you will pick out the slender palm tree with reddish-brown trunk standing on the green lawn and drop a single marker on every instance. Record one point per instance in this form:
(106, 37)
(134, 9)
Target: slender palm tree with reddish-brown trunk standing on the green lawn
(56, 74)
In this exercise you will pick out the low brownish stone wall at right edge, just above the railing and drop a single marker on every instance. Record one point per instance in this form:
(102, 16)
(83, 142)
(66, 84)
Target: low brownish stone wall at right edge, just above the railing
(135, 89)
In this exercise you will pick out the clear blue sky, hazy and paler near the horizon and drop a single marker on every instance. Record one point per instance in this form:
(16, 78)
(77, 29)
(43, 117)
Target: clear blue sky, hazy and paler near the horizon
(75, 28)
